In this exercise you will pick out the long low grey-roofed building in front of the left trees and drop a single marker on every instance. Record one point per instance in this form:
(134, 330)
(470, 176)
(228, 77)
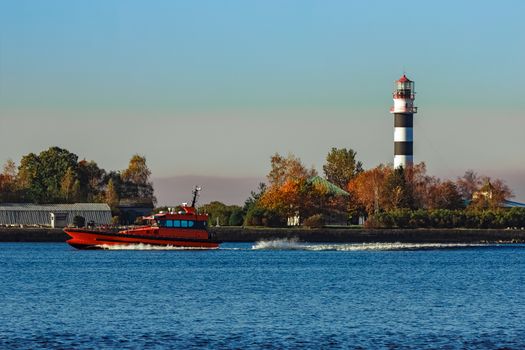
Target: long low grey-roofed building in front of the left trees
(53, 215)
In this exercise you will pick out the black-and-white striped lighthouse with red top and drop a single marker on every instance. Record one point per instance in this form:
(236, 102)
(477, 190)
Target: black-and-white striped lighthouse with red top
(403, 111)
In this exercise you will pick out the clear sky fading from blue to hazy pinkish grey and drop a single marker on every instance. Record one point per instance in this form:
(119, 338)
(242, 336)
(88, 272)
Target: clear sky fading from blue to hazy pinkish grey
(209, 90)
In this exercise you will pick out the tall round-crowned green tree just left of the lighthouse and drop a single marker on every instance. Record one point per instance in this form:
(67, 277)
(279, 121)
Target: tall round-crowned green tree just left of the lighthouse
(341, 166)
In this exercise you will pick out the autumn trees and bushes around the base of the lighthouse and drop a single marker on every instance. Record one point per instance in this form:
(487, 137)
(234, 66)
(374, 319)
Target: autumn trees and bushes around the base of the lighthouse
(387, 197)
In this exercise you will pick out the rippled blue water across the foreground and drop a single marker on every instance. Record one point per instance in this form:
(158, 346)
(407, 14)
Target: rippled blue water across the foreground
(280, 294)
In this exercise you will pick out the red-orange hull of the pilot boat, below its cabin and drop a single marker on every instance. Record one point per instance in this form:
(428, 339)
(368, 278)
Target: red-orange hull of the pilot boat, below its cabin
(91, 239)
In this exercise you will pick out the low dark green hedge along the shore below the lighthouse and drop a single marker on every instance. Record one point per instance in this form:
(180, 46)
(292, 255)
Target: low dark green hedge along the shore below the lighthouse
(444, 218)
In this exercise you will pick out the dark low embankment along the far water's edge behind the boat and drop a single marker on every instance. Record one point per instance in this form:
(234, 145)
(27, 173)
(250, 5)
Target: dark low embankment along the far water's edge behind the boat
(332, 235)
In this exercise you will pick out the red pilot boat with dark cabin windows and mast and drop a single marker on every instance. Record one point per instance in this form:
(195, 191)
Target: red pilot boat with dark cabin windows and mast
(186, 228)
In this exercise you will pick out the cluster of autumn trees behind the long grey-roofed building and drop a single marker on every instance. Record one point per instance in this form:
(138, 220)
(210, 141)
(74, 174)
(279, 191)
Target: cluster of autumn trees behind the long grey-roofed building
(56, 175)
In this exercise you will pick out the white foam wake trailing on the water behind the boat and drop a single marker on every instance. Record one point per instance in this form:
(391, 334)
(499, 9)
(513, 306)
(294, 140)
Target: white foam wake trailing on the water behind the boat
(294, 244)
